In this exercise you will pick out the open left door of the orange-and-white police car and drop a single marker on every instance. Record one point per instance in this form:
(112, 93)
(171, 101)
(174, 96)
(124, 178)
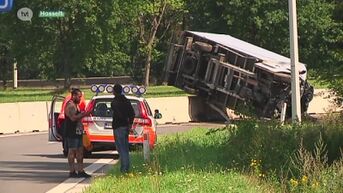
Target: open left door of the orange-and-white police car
(54, 113)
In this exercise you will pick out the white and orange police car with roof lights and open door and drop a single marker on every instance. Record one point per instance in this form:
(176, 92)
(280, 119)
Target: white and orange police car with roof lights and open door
(98, 125)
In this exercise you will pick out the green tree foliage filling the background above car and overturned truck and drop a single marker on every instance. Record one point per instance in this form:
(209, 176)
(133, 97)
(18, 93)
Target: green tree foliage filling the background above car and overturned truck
(108, 38)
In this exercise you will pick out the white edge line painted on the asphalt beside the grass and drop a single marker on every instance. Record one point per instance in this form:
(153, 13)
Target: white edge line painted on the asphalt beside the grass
(72, 182)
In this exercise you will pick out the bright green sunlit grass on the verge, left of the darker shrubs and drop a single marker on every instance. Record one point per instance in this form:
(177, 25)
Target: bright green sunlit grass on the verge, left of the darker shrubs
(189, 162)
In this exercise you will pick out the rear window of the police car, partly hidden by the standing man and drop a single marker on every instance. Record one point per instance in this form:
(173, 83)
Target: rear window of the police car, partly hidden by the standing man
(102, 108)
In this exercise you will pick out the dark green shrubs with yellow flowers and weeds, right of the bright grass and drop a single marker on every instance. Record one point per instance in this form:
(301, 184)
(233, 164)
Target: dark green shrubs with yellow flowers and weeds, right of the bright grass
(290, 154)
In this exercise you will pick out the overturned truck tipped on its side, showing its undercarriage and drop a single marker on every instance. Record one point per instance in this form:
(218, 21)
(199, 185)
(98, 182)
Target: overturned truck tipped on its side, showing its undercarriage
(227, 73)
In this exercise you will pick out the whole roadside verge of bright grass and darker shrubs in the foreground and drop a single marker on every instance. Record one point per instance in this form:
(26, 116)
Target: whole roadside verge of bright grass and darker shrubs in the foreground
(251, 156)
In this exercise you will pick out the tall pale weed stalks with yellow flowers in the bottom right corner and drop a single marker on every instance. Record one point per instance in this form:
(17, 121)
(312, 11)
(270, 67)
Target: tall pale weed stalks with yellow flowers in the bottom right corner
(312, 171)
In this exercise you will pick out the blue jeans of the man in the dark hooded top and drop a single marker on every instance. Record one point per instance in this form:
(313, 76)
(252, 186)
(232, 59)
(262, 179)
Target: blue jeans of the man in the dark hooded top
(121, 135)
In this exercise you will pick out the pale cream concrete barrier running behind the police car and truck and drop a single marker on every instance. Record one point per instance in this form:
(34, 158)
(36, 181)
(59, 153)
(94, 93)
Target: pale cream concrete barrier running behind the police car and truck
(32, 116)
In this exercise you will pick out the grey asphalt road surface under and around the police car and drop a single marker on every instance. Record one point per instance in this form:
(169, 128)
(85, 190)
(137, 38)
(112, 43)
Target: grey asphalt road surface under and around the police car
(30, 164)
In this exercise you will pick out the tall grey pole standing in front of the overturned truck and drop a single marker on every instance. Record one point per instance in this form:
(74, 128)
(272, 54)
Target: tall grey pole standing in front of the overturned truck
(296, 113)
